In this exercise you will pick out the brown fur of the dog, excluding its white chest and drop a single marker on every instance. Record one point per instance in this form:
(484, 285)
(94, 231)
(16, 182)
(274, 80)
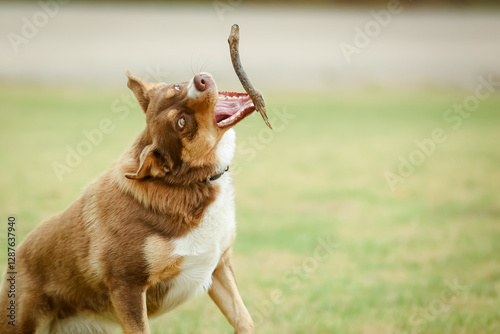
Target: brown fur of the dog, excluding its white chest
(99, 256)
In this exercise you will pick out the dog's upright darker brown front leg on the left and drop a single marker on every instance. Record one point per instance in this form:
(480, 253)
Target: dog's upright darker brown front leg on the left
(129, 303)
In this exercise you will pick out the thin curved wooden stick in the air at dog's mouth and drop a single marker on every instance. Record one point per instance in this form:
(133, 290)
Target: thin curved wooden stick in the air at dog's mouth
(255, 95)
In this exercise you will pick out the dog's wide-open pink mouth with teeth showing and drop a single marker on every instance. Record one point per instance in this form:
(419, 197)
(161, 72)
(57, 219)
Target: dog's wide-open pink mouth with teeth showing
(232, 108)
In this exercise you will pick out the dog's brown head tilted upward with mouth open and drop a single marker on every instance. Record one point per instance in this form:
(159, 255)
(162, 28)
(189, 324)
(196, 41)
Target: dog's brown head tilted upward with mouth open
(184, 123)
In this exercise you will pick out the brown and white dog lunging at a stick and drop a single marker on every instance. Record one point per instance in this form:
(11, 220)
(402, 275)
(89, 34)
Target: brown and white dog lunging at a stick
(151, 232)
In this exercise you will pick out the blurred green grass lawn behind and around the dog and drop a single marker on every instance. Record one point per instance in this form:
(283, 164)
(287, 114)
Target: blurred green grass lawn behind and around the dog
(319, 176)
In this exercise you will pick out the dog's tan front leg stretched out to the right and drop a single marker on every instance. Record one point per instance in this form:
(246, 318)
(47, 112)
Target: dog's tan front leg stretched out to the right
(224, 293)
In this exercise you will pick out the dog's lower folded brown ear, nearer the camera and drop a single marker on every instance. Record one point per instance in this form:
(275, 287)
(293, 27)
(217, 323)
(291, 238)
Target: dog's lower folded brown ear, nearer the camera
(151, 164)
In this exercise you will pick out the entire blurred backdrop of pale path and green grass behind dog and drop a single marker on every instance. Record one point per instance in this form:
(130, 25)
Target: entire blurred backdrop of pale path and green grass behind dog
(373, 206)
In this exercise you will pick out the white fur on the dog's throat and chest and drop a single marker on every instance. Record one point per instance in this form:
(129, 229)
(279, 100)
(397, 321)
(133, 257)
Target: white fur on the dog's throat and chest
(202, 247)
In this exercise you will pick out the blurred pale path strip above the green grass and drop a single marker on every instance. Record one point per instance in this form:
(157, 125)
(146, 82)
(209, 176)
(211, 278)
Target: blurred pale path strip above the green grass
(281, 48)
